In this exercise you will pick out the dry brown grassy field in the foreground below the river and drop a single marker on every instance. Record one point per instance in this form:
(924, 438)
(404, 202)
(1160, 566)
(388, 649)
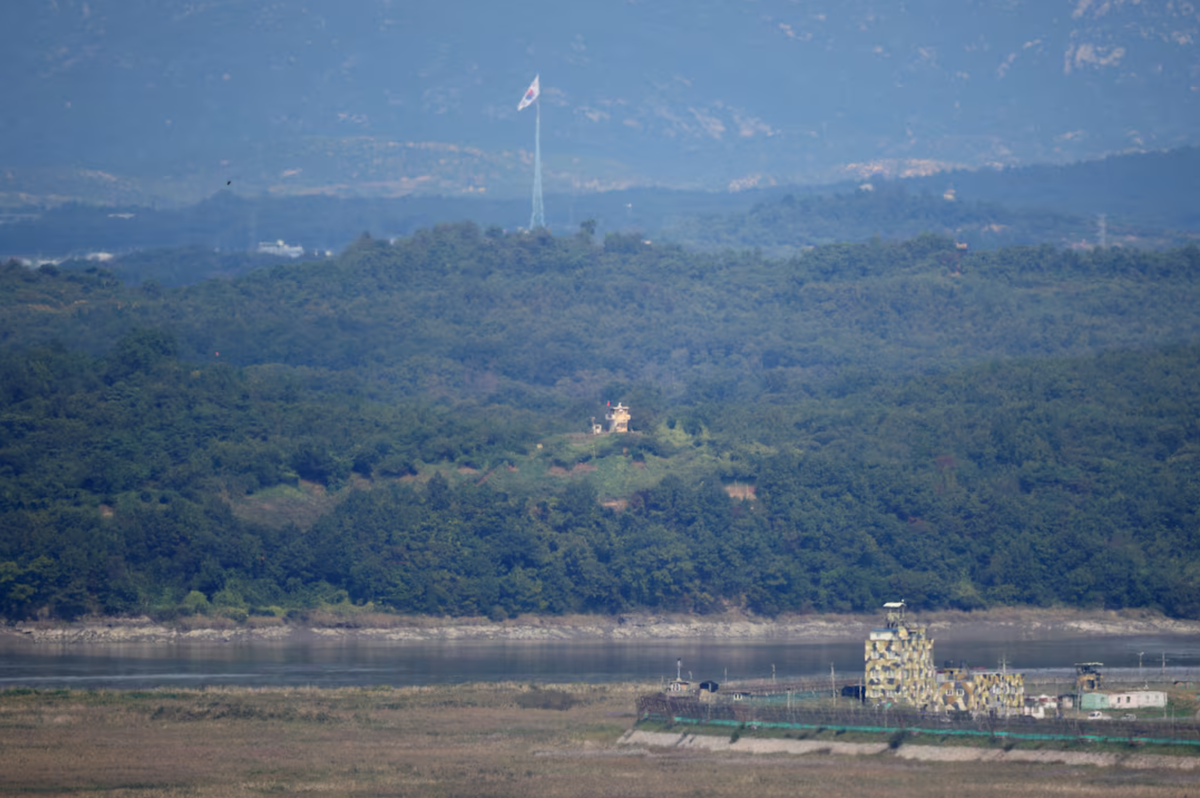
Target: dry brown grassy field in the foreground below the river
(482, 740)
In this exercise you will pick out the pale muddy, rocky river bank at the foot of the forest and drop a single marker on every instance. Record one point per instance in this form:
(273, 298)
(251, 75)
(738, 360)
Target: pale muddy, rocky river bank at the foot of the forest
(993, 625)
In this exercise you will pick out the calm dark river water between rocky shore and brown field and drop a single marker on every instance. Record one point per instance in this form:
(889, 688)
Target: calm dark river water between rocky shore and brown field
(369, 663)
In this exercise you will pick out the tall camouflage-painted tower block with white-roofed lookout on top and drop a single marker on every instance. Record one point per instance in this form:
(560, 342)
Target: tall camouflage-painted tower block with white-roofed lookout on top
(899, 662)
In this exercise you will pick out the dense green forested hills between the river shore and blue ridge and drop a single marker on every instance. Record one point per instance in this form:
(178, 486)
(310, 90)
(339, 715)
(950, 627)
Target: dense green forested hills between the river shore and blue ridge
(403, 427)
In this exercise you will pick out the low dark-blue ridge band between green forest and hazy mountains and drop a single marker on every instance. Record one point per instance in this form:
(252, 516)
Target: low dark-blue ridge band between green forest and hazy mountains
(1145, 201)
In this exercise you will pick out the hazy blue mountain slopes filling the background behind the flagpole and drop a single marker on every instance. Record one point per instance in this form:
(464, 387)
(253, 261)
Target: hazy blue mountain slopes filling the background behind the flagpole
(140, 100)
